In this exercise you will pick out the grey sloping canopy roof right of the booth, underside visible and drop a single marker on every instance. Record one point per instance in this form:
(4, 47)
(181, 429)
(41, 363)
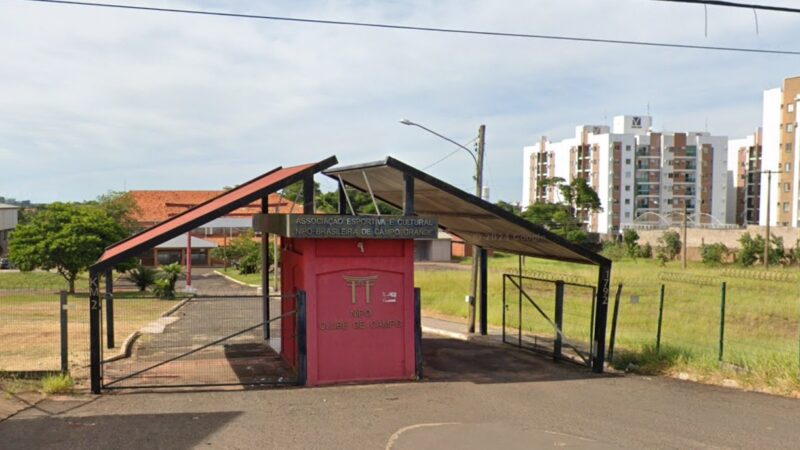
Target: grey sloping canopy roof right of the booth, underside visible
(476, 221)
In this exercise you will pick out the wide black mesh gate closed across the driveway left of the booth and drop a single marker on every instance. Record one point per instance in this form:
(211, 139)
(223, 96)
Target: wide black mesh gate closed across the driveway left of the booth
(206, 340)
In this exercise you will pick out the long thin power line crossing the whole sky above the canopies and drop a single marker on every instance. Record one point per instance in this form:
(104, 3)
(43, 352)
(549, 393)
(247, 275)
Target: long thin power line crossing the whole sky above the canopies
(428, 29)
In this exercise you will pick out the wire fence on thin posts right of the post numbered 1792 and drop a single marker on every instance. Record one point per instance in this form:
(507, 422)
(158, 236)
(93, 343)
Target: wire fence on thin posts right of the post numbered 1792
(749, 321)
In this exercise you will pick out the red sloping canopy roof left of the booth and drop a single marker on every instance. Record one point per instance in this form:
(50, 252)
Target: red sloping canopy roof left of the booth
(218, 206)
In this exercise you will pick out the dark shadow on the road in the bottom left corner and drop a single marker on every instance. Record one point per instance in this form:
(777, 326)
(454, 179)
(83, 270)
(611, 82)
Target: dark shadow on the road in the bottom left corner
(133, 431)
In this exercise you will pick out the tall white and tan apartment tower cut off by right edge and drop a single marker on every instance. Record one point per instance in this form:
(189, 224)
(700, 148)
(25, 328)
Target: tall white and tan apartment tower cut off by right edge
(781, 154)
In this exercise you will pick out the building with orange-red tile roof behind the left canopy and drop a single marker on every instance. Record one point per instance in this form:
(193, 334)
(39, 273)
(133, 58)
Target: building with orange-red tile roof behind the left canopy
(157, 206)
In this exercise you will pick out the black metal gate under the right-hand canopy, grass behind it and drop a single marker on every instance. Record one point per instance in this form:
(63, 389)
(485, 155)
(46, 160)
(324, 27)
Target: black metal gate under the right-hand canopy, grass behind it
(550, 316)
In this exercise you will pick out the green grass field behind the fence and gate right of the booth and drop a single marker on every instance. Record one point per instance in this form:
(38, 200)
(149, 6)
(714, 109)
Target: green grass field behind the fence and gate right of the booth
(762, 320)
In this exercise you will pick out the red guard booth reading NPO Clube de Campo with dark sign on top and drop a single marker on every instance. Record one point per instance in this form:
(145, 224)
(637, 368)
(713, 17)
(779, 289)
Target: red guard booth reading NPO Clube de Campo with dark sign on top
(357, 272)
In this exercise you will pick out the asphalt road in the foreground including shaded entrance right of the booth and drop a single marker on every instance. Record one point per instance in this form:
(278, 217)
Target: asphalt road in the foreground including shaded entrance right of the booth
(473, 397)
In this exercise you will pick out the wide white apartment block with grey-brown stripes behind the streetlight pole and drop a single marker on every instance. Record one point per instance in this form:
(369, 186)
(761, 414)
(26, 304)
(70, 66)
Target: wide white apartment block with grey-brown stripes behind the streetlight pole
(642, 177)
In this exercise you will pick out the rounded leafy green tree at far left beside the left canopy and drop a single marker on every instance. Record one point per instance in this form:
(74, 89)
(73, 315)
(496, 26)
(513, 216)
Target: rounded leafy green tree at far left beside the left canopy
(67, 237)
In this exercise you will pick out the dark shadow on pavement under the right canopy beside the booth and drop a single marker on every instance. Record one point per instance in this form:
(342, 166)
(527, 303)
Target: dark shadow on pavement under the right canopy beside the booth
(454, 360)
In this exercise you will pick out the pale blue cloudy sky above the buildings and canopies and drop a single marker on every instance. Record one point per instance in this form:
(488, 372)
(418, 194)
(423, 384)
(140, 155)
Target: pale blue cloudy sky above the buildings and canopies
(93, 100)
